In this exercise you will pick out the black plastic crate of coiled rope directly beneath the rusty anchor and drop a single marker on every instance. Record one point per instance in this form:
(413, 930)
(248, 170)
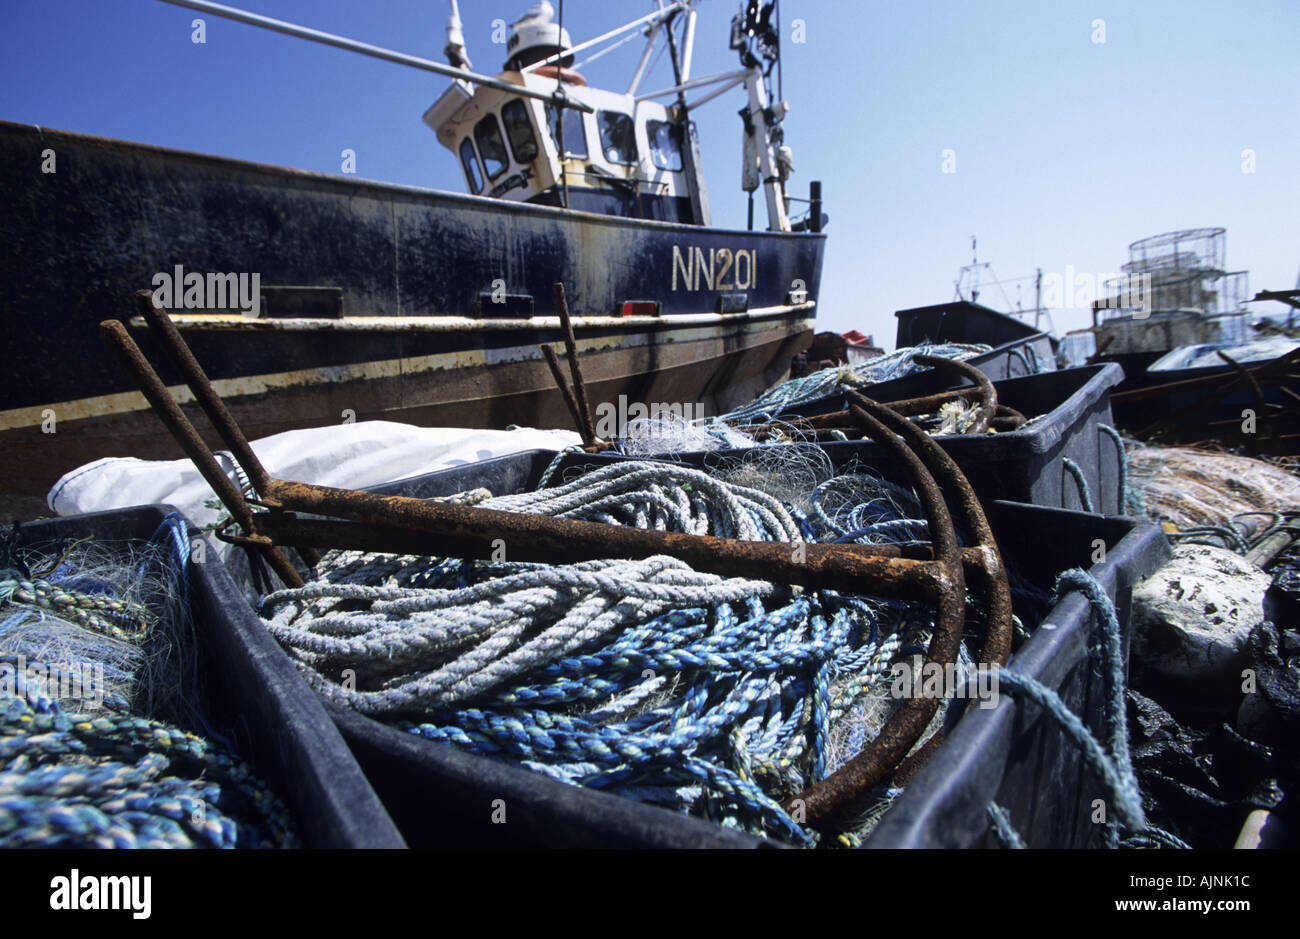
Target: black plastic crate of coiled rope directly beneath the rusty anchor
(445, 798)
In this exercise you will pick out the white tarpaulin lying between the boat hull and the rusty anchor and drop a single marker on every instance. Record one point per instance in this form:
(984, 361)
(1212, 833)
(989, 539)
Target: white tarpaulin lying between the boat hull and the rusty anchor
(345, 456)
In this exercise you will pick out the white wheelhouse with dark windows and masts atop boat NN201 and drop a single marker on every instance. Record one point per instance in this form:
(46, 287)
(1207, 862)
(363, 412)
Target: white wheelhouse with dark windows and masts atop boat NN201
(539, 133)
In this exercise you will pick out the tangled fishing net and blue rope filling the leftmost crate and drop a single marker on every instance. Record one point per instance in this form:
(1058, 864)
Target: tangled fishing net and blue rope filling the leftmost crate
(98, 681)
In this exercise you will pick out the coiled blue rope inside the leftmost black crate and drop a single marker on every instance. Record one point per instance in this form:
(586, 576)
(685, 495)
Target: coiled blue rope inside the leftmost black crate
(114, 780)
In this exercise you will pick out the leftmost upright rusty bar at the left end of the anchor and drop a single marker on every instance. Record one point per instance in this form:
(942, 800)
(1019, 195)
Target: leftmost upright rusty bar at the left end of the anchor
(116, 337)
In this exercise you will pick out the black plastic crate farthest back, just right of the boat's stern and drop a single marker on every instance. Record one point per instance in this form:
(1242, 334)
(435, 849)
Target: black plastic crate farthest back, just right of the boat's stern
(1019, 348)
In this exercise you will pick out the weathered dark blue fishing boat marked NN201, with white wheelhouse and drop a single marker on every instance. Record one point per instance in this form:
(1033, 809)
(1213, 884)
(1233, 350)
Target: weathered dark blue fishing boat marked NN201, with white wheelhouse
(315, 300)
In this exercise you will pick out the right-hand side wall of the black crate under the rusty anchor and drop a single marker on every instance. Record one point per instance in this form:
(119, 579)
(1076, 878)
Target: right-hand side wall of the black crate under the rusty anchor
(1013, 754)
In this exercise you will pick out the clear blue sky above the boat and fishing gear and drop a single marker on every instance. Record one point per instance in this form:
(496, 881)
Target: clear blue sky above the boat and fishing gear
(1067, 149)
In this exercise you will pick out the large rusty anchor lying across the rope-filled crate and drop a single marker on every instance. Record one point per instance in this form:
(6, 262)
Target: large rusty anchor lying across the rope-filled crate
(398, 525)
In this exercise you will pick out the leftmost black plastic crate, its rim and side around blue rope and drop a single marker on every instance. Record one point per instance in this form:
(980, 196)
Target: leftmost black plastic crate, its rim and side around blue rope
(253, 695)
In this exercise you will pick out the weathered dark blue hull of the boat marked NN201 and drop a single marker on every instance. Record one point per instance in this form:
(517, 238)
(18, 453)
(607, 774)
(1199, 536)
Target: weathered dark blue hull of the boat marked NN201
(436, 302)
